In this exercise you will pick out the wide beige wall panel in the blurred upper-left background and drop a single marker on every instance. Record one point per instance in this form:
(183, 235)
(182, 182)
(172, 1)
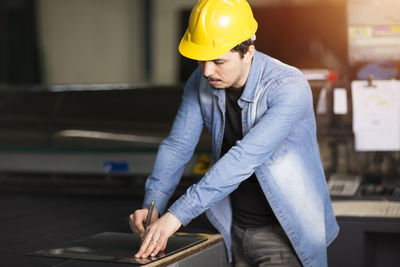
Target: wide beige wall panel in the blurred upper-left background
(91, 41)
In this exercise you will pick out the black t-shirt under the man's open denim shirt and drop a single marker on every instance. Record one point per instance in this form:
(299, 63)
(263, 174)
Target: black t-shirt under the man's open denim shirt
(249, 205)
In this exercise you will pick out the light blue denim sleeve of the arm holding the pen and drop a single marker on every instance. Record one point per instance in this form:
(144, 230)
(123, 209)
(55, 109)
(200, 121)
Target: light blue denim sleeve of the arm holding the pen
(177, 149)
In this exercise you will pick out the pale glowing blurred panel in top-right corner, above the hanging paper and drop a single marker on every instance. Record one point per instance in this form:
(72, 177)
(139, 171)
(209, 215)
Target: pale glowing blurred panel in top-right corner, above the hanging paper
(373, 31)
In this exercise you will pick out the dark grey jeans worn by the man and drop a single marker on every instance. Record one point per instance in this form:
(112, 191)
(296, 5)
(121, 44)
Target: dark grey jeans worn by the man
(262, 246)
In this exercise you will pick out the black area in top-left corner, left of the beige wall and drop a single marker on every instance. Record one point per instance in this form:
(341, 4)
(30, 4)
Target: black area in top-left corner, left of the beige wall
(19, 46)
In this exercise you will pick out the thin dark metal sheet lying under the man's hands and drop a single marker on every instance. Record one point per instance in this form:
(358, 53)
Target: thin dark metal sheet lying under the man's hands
(117, 248)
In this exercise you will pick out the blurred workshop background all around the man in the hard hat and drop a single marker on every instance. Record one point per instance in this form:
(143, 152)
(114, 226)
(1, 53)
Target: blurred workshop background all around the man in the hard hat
(90, 88)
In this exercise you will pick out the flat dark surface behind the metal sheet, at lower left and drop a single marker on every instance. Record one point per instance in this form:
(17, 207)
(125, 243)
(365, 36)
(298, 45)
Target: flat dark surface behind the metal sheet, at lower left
(31, 221)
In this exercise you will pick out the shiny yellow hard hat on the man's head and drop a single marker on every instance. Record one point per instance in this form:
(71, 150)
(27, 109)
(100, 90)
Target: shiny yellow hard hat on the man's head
(215, 27)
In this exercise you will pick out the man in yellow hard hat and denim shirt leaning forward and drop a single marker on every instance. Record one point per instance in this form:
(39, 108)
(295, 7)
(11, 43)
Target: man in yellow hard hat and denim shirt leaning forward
(266, 191)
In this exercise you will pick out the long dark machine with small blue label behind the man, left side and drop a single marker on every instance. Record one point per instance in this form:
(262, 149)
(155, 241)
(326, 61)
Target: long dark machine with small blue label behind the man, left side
(73, 132)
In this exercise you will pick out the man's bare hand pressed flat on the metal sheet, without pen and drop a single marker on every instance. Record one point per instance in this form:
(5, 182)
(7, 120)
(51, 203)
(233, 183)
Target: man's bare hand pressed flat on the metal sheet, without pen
(157, 235)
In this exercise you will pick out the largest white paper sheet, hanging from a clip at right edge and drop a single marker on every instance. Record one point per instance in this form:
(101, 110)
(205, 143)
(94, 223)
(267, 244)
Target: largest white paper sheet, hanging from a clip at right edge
(376, 115)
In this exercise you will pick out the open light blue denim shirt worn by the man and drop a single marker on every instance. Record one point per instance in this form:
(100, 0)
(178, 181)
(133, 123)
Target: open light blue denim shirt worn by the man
(279, 145)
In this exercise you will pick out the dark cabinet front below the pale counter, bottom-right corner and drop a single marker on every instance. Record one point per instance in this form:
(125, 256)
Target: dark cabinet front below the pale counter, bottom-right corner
(366, 242)
